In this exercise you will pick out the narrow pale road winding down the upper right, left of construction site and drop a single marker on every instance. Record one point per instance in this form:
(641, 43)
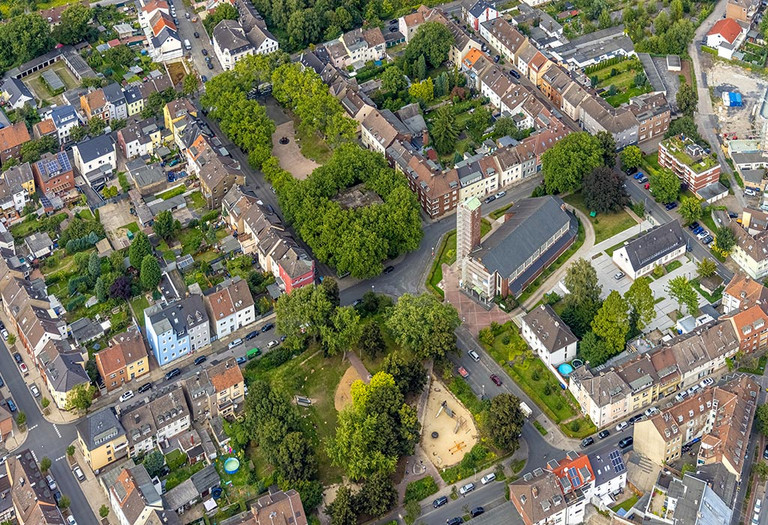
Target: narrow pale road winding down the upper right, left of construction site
(705, 116)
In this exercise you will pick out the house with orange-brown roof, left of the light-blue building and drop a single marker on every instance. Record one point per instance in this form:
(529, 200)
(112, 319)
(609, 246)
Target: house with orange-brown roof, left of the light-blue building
(124, 360)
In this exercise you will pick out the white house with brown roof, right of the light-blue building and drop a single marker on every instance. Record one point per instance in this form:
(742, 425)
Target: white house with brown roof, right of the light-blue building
(230, 307)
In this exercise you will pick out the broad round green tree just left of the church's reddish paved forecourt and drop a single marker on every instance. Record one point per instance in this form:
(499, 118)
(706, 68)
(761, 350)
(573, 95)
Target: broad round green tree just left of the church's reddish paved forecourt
(424, 325)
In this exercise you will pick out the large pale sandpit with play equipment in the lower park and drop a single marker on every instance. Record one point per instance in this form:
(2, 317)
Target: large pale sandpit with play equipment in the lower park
(455, 436)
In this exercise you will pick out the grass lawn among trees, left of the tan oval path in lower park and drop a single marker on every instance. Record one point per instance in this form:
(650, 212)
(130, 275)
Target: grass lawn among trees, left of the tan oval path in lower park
(316, 377)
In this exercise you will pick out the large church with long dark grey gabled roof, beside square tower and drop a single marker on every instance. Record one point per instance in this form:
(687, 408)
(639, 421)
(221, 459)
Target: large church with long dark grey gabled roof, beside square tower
(535, 232)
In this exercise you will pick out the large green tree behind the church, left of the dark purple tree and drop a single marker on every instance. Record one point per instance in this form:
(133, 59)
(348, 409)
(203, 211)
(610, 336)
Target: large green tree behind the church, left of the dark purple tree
(567, 162)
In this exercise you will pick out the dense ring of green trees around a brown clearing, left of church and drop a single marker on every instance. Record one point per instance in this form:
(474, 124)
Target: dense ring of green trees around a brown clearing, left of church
(354, 240)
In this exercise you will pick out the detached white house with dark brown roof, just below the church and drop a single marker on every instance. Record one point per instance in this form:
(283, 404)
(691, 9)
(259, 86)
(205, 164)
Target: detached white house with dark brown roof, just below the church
(548, 336)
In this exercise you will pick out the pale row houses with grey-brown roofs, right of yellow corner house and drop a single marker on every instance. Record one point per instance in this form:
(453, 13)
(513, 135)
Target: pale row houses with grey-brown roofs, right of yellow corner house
(152, 424)
